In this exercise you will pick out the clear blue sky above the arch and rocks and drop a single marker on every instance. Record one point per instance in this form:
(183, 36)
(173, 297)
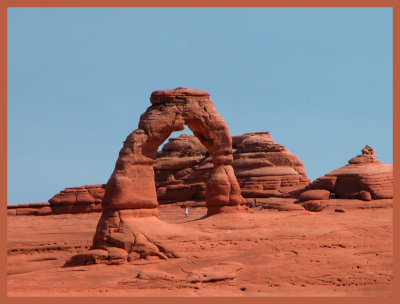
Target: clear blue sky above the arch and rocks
(319, 79)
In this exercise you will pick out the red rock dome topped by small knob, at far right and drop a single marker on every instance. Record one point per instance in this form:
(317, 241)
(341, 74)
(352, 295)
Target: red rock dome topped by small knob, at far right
(363, 178)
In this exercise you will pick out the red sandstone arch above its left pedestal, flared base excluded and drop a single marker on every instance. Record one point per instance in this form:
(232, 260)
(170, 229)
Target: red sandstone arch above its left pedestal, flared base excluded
(131, 185)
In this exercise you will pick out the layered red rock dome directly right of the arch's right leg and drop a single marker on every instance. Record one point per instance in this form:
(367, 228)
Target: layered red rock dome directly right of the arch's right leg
(264, 168)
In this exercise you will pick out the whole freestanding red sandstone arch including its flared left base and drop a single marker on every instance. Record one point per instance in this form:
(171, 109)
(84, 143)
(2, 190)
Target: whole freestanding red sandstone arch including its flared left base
(130, 196)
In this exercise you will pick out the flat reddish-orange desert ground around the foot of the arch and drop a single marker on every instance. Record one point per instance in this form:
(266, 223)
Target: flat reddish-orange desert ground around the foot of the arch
(344, 251)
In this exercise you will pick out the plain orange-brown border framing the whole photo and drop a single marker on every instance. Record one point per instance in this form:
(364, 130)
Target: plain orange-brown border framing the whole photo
(5, 4)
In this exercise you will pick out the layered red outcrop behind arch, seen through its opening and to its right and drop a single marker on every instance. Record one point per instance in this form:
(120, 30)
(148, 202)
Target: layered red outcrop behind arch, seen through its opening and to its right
(262, 168)
